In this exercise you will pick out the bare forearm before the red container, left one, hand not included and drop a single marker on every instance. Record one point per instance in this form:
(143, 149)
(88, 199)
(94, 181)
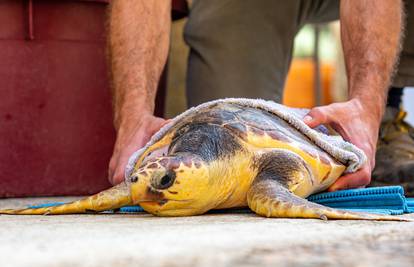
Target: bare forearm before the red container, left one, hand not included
(138, 44)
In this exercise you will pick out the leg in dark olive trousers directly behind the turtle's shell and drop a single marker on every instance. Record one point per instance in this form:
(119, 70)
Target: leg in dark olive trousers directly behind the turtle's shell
(239, 48)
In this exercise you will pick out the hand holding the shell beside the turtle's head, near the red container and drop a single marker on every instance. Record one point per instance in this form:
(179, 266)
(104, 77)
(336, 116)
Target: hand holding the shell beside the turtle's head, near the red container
(132, 135)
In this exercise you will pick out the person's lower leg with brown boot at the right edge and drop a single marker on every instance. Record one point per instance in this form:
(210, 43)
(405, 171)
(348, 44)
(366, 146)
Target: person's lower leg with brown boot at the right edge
(395, 149)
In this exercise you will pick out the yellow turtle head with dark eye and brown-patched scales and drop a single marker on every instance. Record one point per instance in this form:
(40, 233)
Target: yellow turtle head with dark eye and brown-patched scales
(177, 185)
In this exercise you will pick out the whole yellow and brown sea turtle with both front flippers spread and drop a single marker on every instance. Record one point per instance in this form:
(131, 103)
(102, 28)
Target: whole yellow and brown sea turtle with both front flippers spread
(224, 155)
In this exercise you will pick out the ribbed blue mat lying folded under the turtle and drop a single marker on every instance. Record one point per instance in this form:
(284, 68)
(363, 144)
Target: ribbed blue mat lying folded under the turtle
(388, 200)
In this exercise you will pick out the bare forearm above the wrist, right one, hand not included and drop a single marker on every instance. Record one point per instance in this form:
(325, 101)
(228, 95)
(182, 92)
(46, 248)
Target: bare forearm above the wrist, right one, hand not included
(371, 33)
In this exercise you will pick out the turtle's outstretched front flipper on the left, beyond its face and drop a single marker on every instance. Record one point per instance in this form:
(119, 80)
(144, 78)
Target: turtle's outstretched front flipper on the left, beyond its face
(112, 198)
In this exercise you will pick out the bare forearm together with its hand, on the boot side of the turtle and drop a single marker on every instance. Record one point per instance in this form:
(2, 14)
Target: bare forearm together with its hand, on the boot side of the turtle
(371, 32)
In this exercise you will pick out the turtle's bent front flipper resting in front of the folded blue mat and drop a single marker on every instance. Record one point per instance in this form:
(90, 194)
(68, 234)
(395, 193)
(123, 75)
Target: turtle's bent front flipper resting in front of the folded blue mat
(269, 195)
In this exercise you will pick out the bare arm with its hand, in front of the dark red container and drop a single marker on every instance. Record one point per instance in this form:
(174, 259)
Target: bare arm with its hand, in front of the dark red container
(138, 43)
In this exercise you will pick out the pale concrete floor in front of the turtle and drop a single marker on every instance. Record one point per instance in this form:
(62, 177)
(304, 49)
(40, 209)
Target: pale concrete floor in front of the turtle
(118, 240)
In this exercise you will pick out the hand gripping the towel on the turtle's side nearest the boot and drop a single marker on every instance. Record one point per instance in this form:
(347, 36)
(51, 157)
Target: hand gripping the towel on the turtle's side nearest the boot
(356, 124)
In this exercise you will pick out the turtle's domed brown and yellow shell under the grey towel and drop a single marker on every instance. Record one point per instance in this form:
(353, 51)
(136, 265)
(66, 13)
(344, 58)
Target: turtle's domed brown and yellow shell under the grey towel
(257, 129)
